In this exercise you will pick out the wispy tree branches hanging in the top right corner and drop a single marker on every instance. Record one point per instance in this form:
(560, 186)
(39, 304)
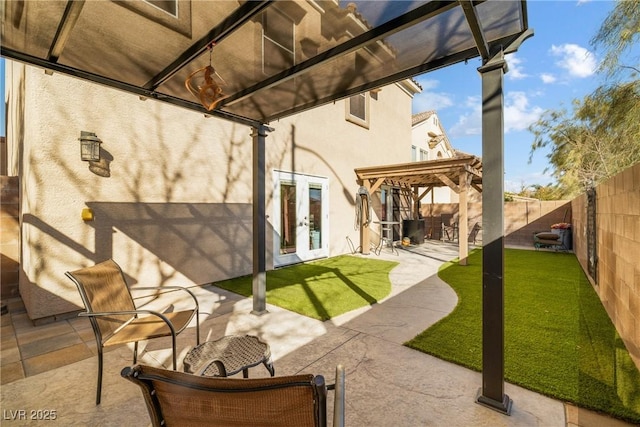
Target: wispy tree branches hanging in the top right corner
(618, 34)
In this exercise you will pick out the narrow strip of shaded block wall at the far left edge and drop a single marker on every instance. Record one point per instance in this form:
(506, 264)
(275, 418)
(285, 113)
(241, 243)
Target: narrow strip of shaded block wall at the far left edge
(10, 237)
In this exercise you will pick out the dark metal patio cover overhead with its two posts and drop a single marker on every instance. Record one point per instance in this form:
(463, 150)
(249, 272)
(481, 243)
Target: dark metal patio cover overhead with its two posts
(277, 58)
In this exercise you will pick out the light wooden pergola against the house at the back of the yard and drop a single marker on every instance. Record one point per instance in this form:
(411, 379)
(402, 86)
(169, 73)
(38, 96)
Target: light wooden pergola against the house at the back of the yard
(417, 179)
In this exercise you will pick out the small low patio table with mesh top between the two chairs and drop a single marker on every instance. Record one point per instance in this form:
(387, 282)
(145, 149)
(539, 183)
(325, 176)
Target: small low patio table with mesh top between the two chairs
(228, 356)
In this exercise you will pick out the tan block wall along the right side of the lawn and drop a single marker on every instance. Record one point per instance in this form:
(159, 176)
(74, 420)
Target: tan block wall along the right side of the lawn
(618, 251)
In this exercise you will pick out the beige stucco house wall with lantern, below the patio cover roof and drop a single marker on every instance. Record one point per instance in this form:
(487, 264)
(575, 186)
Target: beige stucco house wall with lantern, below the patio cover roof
(176, 208)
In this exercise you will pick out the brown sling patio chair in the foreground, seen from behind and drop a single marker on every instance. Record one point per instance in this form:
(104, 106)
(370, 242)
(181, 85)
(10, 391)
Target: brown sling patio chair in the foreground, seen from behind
(181, 399)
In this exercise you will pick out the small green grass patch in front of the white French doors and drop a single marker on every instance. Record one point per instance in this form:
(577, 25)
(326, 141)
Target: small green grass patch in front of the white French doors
(325, 288)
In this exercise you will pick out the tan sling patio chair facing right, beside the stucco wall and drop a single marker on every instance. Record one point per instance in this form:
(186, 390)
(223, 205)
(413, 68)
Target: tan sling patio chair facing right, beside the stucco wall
(114, 317)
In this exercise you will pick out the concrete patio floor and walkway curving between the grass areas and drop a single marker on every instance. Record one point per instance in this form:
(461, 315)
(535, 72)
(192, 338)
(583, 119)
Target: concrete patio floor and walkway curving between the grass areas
(53, 367)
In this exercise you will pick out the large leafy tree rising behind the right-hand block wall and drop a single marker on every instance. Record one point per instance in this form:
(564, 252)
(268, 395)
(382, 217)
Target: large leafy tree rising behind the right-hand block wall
(598, 139)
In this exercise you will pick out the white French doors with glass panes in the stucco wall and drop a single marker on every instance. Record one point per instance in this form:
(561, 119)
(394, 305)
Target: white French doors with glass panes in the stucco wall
(300, 217)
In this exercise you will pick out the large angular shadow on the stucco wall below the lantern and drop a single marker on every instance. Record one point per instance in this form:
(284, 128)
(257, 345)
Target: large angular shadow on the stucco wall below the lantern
(205, 242)
